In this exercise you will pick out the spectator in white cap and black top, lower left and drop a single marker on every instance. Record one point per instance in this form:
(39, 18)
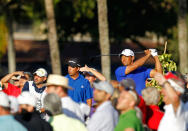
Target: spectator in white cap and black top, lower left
(28, 116)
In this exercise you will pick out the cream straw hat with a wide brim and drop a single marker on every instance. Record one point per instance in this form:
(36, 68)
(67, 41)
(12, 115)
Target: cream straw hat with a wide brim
(58, 80)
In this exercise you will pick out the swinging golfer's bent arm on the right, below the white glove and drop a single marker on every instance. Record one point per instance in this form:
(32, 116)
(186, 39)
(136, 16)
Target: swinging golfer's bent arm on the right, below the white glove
(158, 67)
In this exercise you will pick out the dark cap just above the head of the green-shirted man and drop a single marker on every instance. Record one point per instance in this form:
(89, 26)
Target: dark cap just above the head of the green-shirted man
(128, 84)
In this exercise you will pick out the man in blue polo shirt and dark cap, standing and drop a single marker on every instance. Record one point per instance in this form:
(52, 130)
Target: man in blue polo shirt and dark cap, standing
(82, 92)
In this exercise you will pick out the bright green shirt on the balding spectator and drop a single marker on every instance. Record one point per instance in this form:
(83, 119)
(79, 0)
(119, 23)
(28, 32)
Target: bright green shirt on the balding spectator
(129, 120)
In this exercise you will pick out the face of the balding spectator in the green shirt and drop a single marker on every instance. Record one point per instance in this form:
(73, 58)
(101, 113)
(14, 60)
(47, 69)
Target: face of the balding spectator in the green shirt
(124, 101)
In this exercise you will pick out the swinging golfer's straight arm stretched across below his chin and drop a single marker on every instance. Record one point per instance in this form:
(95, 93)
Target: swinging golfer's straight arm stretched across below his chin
(136, 64)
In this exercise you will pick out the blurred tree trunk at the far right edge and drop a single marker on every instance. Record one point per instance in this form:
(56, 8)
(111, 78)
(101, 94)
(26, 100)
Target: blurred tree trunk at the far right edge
(182, 36)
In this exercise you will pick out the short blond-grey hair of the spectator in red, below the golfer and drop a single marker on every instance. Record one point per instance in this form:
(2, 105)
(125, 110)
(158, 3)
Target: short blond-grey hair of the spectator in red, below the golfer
(151, 95)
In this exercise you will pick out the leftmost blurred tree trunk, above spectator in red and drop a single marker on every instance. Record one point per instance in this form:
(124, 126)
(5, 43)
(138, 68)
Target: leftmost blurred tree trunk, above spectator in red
(11, 49)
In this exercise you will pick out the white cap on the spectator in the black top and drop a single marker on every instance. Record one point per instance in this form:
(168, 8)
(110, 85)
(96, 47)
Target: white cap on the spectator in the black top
(27, 98)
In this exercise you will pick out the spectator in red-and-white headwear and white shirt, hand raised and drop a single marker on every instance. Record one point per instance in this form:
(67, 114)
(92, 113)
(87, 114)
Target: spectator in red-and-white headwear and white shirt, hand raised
(175, 117)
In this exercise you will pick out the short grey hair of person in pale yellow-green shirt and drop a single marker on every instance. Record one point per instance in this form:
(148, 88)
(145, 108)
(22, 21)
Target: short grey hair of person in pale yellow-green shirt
(52, 103)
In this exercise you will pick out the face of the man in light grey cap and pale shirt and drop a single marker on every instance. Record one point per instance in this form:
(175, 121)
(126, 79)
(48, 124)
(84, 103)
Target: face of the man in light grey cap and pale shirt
(99, 96)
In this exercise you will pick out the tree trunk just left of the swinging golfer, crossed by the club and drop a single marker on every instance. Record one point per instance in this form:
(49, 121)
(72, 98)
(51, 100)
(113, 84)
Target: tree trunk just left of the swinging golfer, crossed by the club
(104, 37)
